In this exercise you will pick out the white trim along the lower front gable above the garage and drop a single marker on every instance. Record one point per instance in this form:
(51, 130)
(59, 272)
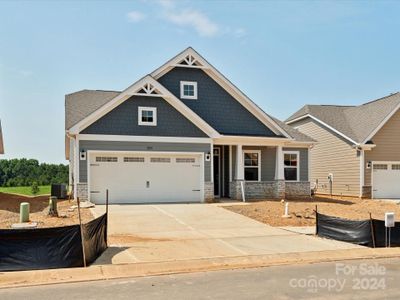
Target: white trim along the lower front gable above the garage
(147, 86)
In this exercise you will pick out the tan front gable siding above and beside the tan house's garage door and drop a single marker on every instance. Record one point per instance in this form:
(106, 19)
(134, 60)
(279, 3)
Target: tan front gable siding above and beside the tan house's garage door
(387, 141)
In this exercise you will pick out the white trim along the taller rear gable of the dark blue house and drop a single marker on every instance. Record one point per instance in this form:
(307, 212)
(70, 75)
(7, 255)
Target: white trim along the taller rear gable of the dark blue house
(189, 58)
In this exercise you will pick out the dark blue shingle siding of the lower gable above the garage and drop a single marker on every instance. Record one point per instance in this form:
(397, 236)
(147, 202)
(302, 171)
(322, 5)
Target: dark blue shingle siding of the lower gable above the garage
(123, 120)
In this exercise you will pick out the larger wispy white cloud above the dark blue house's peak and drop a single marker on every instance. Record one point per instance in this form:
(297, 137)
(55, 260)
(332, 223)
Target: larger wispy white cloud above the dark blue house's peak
(194, 19)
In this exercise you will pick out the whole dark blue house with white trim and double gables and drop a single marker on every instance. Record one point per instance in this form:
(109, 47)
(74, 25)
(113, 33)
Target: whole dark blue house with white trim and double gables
(183, 133)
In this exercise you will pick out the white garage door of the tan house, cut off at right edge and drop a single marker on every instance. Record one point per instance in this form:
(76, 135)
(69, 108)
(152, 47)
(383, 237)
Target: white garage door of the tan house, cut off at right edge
(386, 180)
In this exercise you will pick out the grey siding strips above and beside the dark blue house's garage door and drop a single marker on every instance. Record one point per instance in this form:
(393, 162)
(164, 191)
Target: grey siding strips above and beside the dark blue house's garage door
(145, 147)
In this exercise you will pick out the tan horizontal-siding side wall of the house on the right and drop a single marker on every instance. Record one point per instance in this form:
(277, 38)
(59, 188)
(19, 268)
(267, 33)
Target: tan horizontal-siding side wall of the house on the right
(331, 154)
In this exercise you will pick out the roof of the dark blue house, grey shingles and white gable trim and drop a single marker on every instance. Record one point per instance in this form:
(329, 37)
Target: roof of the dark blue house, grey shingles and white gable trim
(85, 107)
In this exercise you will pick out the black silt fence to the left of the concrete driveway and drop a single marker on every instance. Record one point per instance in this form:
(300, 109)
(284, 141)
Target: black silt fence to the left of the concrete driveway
(49, 248)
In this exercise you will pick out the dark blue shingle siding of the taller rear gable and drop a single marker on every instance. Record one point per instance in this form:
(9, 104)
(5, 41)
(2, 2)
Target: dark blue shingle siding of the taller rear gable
(214, 104)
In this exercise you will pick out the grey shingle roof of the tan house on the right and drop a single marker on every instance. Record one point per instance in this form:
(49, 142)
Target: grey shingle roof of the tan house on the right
(356, 123)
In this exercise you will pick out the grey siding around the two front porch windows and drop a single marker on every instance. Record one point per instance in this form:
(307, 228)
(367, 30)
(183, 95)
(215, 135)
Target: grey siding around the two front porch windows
(268, 161)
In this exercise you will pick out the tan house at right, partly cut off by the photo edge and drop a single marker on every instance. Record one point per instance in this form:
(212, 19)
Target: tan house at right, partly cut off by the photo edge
(358, 145)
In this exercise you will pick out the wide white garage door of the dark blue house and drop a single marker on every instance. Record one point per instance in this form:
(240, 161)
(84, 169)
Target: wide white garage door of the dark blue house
(145, 177)
